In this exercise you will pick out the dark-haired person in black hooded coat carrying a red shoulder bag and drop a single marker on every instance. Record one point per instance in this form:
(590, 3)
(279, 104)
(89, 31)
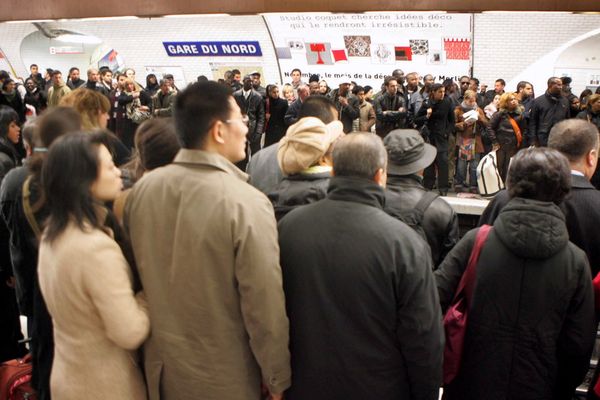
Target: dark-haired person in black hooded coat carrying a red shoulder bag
(531, 324)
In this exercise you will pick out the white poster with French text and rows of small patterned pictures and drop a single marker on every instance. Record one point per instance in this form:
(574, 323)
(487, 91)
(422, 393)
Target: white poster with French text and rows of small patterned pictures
(366, 47)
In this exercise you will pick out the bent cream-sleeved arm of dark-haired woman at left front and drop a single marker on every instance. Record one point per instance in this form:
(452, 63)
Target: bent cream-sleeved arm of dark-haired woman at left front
(107, 280)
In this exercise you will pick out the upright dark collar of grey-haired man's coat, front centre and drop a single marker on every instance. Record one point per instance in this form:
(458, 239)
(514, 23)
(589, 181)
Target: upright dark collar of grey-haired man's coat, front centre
(356, 190)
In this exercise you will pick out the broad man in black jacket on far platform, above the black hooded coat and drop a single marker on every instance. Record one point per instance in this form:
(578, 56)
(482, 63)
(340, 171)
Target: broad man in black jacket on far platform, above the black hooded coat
(548, 110)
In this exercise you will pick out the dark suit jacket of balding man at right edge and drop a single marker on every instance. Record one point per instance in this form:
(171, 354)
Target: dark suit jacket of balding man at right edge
(582, 212)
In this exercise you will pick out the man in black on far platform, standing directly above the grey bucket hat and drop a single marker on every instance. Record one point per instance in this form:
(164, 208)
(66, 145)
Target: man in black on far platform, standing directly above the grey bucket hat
(437, 112)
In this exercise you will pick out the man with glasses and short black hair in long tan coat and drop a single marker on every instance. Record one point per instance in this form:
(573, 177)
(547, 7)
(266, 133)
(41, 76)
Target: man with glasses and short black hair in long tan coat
(205, 243)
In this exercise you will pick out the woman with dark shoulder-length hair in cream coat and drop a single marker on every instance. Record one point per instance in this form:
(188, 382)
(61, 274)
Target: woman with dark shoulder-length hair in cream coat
(85, 279)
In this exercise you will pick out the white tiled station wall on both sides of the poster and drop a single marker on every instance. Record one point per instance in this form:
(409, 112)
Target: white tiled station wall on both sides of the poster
(513, 46)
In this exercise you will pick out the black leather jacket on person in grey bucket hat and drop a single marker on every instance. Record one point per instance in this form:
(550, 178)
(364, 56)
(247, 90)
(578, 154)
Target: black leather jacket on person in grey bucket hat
(440, 222)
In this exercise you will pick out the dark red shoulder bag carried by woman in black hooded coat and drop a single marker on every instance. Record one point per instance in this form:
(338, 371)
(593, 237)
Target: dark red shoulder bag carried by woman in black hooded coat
(455, 320)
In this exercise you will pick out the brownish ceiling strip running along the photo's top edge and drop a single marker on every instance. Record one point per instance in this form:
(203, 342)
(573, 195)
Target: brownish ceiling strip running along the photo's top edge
(55, 9)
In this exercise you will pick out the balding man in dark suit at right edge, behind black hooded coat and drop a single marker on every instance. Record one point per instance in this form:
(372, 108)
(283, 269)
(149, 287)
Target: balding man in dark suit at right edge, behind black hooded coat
(578, 141)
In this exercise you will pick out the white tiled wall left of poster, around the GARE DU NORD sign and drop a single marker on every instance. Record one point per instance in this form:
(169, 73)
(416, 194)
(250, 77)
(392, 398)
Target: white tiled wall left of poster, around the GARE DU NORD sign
(139, 41)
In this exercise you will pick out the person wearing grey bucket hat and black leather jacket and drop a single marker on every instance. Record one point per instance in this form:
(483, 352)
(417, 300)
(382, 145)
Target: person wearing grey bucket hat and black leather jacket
(407, 199)
